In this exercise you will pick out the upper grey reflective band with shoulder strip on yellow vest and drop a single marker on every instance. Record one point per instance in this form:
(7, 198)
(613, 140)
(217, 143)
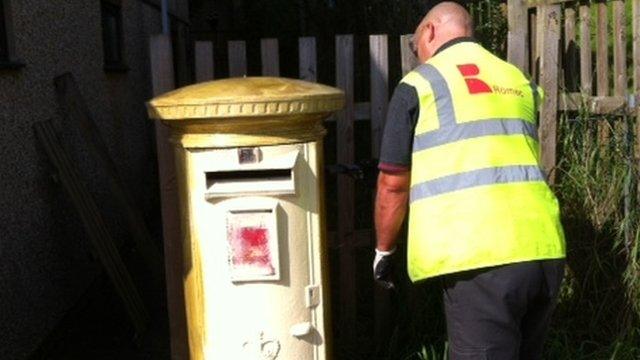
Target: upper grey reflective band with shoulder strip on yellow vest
(450, 131)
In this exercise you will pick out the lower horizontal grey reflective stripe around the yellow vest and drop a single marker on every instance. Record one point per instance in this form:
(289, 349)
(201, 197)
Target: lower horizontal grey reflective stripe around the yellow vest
(480, 177)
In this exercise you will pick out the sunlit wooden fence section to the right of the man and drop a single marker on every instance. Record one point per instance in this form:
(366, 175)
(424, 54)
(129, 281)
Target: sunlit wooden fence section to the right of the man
(557, 42)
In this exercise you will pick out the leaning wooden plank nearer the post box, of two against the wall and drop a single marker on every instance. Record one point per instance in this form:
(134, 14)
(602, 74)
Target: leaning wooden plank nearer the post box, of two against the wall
(75, 110)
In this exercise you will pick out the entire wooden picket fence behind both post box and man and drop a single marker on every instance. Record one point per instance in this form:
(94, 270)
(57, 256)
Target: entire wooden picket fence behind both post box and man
(552, 40)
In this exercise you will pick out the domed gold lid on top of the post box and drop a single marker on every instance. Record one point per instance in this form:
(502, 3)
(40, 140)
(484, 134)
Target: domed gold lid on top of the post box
(246, 97)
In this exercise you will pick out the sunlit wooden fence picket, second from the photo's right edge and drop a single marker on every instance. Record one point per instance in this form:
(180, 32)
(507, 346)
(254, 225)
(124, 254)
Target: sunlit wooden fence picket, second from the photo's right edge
(619, 49)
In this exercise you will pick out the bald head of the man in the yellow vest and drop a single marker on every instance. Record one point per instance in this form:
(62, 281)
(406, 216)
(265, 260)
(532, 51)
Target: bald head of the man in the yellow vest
(445, 21)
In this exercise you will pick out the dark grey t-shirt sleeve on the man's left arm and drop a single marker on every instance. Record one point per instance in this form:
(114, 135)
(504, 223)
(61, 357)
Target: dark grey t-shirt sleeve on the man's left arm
(397, 137)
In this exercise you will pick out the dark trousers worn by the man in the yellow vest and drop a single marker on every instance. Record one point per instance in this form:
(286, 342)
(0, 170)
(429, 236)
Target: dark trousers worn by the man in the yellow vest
(501, 313)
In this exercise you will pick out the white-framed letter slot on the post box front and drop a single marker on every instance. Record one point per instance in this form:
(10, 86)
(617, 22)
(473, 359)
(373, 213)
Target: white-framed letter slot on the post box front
(276, 177)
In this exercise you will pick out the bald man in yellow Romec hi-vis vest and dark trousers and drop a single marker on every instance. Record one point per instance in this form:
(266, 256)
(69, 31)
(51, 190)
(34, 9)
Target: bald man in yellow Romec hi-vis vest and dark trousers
(460, 148)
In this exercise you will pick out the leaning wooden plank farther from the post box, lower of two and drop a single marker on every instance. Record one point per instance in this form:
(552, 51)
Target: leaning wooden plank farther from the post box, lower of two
(101, 241)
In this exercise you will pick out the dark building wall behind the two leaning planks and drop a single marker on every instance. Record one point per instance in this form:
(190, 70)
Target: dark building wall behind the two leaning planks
(45, 260)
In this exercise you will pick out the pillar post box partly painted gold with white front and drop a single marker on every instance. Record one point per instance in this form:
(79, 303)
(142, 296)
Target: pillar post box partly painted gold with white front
(250, 173)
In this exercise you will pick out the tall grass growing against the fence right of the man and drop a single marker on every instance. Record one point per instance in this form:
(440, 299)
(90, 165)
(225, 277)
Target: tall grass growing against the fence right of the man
(598, 315)
